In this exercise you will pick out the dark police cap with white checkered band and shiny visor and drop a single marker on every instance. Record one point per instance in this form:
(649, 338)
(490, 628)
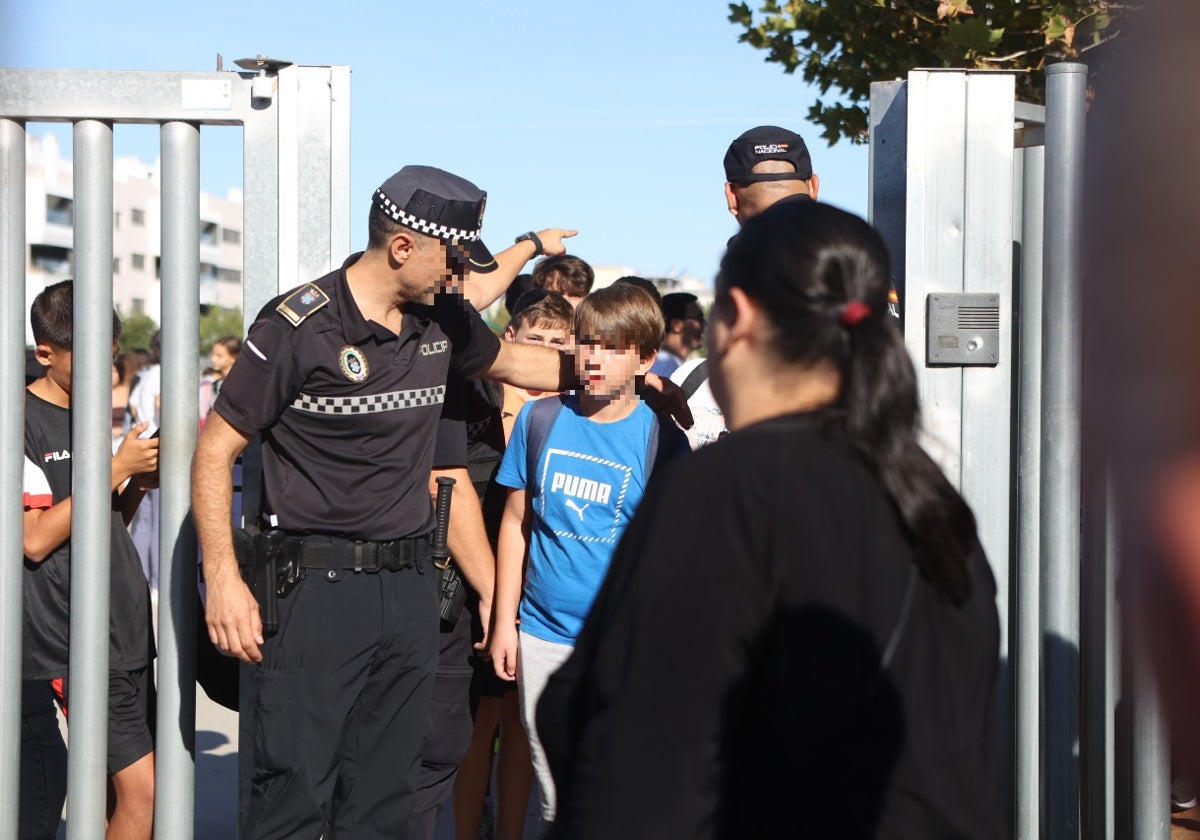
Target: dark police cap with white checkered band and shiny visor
(437, 203)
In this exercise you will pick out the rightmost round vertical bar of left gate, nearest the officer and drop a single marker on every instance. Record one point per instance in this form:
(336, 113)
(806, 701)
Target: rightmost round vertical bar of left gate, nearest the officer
(176, 746)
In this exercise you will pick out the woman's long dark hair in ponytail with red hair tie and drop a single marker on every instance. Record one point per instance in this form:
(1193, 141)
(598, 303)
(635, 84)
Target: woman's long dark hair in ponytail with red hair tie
(823, 277)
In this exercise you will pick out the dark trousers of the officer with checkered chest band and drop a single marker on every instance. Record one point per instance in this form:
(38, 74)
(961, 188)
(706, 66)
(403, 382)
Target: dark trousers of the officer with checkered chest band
(340, 706)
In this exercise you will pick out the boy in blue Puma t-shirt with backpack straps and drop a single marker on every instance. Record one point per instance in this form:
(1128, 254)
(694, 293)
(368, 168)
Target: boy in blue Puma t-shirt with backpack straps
(571, 513)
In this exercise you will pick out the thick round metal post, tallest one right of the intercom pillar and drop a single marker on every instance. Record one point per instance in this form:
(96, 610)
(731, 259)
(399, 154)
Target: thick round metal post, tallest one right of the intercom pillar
(1060, 503)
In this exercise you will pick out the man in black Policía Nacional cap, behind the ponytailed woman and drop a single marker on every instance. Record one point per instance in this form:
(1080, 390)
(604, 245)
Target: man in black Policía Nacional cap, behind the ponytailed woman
(765, 165)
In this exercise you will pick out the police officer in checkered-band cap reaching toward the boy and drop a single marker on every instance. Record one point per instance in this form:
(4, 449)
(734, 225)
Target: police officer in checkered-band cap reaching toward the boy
(344, 379)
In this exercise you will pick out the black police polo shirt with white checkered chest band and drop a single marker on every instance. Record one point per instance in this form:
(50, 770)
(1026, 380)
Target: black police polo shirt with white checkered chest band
(349, 411)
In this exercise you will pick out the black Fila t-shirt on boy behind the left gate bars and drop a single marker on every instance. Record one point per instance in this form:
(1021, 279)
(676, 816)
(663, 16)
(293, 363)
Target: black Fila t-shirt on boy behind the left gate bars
(47, 482)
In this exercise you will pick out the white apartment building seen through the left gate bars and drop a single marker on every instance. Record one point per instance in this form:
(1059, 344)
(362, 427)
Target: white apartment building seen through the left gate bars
(137, 233)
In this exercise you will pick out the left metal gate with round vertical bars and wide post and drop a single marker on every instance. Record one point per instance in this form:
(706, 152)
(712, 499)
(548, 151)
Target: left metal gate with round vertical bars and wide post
(296, 123)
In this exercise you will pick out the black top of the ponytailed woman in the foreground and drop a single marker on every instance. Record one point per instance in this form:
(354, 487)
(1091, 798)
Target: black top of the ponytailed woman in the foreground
(729, 682)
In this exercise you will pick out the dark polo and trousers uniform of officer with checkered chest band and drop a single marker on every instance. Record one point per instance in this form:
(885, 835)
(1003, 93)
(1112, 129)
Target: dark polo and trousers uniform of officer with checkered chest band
(349, 413)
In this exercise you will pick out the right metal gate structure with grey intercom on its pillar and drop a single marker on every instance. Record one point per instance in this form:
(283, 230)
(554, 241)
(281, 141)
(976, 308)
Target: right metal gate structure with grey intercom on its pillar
(980, 200)
